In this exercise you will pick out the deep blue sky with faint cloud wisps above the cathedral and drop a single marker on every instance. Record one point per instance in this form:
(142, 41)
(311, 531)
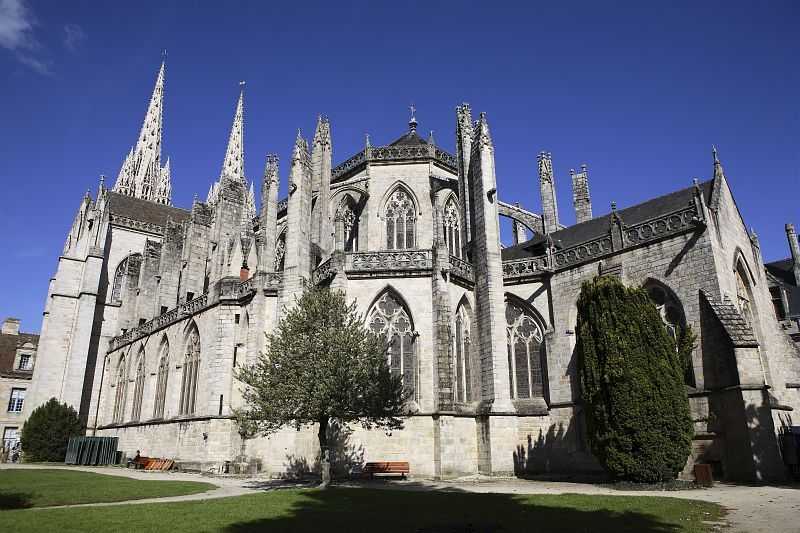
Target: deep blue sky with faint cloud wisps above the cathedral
(639, 91)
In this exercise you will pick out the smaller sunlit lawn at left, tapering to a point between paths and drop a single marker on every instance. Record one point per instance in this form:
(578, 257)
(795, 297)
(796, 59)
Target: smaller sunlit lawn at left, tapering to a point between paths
(42, 488)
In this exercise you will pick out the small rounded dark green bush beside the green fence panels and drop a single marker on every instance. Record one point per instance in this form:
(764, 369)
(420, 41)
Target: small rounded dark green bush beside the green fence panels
(47, 431)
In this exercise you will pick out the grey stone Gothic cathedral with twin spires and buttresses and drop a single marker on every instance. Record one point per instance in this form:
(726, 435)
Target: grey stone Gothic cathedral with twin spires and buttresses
(153, 307)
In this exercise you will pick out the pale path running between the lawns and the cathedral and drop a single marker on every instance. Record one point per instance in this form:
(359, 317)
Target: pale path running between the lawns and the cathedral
(752, 509)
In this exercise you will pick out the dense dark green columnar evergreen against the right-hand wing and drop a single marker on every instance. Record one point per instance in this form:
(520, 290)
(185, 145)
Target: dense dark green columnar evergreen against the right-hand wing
(632, 380)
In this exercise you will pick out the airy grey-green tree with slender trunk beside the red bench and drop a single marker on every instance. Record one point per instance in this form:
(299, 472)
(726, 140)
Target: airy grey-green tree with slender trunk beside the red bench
(321, 364)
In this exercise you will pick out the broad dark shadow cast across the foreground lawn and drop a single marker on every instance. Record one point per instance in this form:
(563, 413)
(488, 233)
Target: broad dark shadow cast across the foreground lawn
(454, 511)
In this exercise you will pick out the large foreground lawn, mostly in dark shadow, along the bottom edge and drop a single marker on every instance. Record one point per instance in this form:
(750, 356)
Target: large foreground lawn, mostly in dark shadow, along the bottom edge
(384, 511)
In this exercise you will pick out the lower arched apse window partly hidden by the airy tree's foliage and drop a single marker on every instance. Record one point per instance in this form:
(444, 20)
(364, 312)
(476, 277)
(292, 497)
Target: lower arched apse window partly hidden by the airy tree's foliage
(389, 318)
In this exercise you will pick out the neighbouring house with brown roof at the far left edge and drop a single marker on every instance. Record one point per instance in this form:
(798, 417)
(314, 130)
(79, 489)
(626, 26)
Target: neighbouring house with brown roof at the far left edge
(17, 360)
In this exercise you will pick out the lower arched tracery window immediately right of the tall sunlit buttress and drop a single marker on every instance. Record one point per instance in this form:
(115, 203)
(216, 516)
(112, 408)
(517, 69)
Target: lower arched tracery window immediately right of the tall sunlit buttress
(524, 344)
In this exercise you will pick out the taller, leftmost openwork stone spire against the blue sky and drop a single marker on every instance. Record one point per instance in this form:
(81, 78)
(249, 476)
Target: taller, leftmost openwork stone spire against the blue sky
(141, 174)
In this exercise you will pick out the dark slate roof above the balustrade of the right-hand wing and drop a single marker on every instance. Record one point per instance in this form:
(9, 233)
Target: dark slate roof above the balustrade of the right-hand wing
(599, 226)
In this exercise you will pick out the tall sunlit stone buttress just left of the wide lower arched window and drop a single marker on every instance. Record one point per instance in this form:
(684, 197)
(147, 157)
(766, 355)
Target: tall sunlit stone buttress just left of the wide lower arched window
(488, 266)
